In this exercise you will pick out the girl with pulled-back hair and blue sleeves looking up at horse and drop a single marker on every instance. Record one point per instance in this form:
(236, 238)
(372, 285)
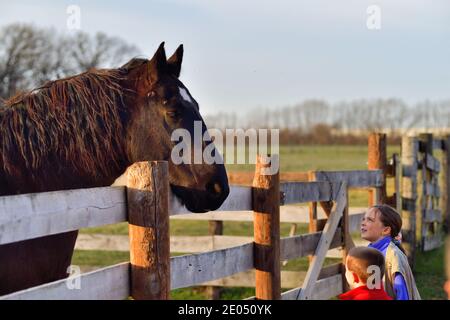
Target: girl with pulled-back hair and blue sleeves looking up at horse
(381, 225)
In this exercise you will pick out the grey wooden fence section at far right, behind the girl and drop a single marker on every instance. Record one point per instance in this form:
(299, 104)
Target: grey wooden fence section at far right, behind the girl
(425, 214)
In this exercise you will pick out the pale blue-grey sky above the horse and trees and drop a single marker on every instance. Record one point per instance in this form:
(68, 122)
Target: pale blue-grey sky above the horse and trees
(242, 55)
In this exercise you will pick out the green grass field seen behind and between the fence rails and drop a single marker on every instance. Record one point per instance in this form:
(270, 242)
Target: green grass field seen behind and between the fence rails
(429, 270)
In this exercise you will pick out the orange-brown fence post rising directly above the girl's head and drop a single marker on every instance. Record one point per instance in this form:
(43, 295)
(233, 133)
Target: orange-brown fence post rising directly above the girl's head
(377, 159)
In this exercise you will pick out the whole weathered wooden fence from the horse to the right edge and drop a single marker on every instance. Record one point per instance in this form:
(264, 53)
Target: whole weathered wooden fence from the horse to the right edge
(146, 204)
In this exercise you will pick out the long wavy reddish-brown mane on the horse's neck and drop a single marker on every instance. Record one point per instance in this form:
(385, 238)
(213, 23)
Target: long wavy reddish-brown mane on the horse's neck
(79, 120)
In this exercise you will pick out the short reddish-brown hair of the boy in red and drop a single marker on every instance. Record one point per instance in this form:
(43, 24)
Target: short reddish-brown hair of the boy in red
(360, 258)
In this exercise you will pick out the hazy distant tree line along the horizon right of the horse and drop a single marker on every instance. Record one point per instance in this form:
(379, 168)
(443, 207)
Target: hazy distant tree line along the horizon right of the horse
(318, 121)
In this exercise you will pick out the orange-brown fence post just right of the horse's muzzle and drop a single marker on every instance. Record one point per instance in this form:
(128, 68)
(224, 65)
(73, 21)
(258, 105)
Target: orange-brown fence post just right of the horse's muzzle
(266, 207)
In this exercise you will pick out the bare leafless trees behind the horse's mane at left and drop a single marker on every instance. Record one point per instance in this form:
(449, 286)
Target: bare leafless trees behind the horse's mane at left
(30, 56)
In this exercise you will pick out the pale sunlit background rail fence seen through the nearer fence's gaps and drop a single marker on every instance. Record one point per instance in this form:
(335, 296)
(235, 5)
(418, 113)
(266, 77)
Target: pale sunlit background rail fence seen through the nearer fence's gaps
(293, 214)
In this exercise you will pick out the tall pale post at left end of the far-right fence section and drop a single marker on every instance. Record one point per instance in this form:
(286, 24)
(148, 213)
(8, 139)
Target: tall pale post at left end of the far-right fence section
(410, 148)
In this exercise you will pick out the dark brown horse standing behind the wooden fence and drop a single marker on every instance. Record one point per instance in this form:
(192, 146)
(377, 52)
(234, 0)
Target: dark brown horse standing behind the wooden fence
(83, 132)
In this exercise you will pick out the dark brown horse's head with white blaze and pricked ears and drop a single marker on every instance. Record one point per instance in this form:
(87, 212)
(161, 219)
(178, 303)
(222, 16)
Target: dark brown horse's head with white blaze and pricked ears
(160, 104)
